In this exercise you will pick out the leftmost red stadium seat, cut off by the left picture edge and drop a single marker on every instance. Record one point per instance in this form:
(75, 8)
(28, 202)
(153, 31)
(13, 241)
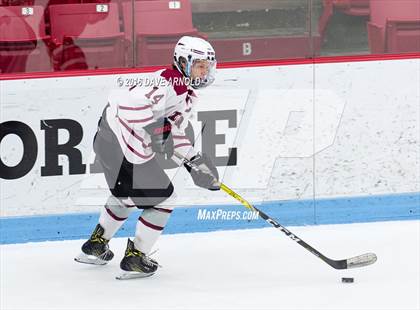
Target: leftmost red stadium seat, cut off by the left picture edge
(23, 41)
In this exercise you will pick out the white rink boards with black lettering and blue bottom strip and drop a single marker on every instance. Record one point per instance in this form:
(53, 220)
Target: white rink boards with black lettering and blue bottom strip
(308, 143)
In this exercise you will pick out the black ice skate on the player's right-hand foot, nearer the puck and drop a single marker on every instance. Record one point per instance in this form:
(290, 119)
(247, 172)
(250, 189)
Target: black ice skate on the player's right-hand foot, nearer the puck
(136, 264)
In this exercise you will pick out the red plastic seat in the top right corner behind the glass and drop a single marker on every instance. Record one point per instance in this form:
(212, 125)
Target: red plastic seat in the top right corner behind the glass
(394, 27)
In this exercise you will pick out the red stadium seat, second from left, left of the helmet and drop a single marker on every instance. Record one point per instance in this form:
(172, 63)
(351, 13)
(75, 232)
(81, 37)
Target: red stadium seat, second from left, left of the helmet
(86, 36)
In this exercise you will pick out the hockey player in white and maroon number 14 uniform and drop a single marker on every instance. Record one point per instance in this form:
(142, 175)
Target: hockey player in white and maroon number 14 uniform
(136, 124)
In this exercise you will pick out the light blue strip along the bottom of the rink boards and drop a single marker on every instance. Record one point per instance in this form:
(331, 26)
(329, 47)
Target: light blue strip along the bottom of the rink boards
(183, 220)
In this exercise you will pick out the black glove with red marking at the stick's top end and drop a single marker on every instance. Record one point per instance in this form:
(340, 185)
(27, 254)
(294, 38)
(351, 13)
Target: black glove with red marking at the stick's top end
(160, 134)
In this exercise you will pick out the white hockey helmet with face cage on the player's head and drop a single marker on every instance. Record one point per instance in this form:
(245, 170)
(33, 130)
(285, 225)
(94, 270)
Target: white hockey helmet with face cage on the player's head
(190, 49)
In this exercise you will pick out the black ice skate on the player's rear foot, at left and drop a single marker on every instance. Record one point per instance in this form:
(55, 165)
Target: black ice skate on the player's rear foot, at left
(96, 250)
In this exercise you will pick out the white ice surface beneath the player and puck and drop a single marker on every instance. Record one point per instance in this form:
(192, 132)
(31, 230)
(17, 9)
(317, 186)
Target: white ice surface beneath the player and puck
(248, 269)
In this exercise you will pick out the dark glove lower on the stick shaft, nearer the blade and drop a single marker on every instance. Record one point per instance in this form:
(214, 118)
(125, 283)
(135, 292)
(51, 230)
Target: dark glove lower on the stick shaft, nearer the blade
(205, 175)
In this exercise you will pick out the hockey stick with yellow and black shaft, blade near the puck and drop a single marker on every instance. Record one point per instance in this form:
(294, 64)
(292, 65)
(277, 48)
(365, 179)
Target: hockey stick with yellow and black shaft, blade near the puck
(353, 262)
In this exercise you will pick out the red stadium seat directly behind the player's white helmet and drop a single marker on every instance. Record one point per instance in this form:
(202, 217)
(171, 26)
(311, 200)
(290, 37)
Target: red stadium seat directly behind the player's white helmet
(158, 25)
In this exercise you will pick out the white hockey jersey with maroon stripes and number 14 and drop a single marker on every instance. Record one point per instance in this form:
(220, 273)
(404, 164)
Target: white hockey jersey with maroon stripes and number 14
(132, 109)
